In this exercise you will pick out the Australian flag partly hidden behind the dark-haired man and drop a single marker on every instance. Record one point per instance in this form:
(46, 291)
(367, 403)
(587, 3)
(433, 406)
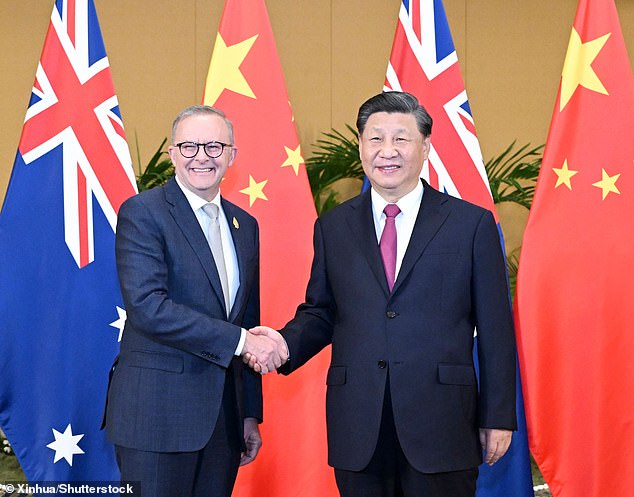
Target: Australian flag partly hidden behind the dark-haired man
(424, 62)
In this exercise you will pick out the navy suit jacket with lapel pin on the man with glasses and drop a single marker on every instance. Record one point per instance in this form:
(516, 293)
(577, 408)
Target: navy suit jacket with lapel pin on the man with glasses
(177, 348)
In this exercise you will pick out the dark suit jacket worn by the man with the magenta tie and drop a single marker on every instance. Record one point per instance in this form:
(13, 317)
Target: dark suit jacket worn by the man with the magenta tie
(452, 280)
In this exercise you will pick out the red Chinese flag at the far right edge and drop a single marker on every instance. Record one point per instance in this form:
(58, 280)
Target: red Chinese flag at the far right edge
(575, 288)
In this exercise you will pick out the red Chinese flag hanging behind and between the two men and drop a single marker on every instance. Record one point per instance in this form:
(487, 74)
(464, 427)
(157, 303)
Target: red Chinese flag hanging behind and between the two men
(269, 180)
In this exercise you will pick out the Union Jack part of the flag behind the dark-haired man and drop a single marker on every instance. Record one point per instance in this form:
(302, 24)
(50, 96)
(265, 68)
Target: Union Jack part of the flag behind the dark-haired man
(424, 62)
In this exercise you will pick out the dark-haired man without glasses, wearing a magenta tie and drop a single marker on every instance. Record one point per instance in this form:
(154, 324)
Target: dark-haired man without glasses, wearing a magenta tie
(402, 276)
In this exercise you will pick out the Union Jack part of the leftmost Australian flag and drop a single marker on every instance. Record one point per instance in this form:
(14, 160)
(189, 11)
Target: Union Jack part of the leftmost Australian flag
(74, 104)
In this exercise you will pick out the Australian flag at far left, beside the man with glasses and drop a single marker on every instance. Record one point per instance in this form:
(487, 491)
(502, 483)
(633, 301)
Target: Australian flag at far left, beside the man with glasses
(60, 307)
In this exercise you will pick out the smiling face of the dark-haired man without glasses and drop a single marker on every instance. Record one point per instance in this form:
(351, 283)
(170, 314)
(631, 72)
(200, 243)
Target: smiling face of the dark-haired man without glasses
(392, 152)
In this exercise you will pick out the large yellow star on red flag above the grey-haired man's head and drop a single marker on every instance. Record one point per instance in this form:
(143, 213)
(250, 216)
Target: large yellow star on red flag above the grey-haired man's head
(224, 70)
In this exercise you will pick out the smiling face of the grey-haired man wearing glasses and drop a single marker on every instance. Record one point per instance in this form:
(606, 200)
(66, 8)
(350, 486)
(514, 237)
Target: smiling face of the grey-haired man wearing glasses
(202, 174)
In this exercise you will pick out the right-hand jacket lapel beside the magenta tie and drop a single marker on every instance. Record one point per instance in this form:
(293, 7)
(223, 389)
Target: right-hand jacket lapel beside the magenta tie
(431, 217)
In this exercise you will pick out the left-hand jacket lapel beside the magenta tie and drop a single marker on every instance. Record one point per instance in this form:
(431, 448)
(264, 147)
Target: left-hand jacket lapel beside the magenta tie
(361, 223)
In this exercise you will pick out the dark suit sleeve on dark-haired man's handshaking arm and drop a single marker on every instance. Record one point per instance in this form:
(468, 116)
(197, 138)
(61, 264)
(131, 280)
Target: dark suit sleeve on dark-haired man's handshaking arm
(312, 327)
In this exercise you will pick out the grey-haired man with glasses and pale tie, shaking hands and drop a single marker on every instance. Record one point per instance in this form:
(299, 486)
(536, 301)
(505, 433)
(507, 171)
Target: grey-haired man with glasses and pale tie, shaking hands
(183, 410)
